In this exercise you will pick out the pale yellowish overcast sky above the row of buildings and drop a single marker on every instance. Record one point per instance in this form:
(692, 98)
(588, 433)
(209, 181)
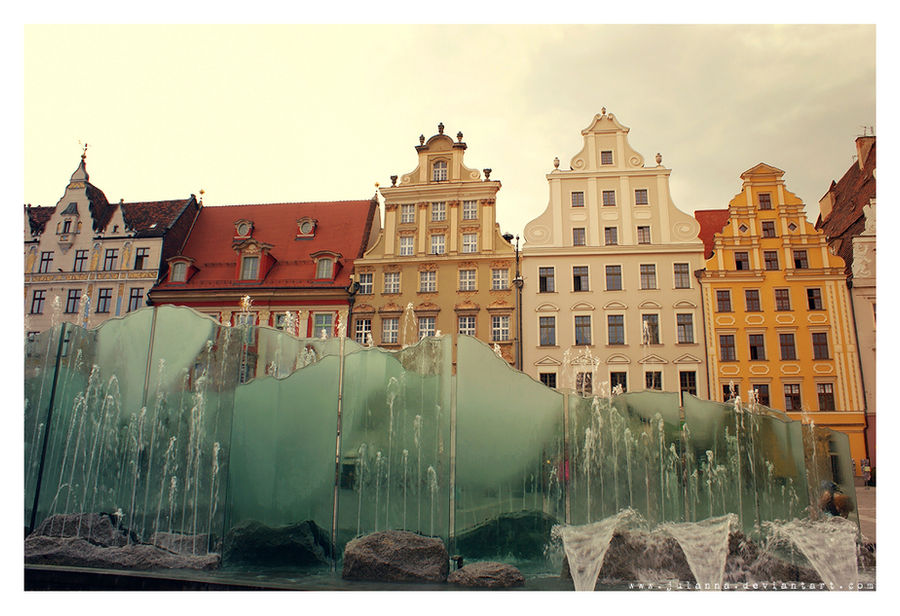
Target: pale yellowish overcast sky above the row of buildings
(256, 114)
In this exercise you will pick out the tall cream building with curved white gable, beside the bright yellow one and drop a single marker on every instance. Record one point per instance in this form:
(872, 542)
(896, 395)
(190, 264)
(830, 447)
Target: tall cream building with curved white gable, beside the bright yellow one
(610, 293)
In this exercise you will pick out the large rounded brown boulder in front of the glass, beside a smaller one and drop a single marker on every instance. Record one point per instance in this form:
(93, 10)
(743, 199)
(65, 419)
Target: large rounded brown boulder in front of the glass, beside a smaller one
(396, 556)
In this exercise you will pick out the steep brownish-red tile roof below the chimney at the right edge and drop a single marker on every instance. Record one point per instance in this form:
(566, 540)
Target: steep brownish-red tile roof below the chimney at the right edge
(850, 194)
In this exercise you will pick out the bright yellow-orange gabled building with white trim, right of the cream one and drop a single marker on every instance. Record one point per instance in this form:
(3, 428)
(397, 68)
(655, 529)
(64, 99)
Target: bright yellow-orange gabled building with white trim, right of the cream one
(777, 311)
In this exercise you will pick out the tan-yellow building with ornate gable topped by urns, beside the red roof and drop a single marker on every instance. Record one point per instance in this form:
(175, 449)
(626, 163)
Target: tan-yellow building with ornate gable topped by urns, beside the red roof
(440, 262)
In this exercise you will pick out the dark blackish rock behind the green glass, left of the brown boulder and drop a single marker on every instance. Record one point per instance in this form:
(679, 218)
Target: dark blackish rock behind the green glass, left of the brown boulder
(299, 544)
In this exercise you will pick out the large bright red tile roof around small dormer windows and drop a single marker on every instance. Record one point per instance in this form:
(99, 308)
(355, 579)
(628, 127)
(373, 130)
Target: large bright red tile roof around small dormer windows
(342, 227)
